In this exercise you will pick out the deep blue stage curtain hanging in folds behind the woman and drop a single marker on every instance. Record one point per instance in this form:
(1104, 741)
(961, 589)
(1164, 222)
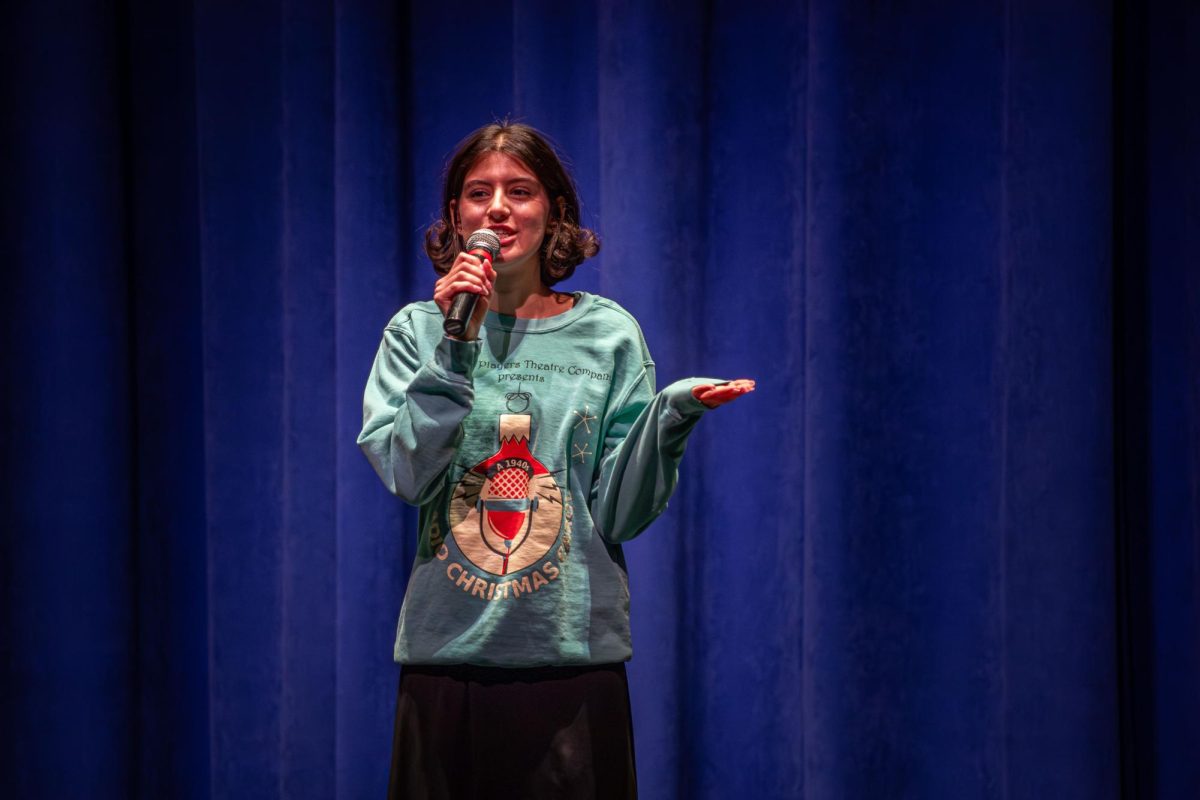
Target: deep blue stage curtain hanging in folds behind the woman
(951, 548)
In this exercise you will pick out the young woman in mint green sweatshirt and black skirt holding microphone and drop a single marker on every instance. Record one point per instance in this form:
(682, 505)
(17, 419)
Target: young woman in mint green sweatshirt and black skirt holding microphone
(535, 444)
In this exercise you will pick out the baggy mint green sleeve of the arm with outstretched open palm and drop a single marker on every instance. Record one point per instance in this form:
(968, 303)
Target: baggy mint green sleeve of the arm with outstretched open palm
(645, 441)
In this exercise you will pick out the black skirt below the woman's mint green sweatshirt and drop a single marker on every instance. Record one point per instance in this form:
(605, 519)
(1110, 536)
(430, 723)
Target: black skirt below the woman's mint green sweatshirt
(469, 732)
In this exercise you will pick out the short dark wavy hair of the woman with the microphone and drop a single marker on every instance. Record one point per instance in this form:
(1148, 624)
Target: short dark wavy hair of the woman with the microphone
(567, 243)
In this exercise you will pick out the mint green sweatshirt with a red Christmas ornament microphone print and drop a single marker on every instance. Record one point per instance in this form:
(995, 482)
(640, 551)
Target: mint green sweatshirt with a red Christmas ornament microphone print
(532, 454)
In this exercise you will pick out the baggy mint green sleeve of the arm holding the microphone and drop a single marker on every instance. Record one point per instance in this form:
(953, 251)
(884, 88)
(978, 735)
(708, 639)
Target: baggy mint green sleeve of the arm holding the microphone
(413, 412)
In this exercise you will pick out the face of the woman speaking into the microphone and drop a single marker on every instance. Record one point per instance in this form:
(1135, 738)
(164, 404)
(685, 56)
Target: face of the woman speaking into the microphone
(502, 194)
